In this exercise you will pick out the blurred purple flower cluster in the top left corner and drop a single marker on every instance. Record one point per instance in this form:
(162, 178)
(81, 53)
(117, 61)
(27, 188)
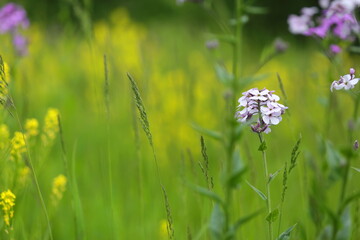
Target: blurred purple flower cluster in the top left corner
(12, 18)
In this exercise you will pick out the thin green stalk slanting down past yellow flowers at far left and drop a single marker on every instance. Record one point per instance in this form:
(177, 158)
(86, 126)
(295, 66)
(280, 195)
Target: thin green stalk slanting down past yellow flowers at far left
(42, 202)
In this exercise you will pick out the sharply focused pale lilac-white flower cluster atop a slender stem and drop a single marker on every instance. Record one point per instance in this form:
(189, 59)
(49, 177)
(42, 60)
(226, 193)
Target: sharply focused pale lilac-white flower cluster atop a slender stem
(263, 103)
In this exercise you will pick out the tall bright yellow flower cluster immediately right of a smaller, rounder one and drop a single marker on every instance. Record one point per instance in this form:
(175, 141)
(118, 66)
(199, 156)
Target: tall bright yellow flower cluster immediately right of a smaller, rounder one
(51, 126)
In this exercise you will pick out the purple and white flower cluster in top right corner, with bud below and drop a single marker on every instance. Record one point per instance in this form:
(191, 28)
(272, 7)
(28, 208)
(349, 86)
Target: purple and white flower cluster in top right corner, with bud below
(336, 18)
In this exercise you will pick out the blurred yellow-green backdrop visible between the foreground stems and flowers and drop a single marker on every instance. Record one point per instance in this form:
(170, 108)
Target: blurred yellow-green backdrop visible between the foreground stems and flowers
(162, 44)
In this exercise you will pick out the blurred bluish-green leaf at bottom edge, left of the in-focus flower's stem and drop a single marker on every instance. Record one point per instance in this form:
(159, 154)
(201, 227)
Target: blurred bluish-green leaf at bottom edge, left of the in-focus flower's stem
(217, 223)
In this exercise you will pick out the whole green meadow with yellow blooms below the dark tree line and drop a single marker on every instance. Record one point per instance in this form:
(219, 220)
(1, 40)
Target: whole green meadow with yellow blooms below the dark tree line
(81, 107)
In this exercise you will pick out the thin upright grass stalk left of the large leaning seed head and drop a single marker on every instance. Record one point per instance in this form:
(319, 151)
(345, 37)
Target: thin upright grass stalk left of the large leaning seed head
(107, 112)
